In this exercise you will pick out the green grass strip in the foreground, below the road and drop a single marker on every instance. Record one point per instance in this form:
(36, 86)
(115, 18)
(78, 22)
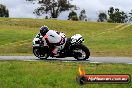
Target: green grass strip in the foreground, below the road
(54, 74)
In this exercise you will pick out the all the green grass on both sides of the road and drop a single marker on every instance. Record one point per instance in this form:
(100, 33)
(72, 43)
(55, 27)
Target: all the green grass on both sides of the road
(103, 39)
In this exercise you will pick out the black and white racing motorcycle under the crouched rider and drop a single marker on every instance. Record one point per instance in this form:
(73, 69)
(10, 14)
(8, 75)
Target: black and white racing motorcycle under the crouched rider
(73, 48)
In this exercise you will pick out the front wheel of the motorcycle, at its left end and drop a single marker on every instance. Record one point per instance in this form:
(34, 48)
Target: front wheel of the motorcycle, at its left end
(41, 54)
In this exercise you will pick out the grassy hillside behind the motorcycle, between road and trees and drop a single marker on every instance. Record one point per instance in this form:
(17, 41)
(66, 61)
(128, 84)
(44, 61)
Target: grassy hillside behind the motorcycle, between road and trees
(103, 39)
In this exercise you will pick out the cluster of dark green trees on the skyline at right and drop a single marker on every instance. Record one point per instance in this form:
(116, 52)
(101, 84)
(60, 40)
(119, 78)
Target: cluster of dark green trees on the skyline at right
(114, 15)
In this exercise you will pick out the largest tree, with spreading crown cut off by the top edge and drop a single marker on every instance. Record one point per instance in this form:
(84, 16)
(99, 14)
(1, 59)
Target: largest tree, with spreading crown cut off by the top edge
(54, 7)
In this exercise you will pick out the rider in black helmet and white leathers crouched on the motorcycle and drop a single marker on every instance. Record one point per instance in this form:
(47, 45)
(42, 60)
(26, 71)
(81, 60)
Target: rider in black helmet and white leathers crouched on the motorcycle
(52, 37)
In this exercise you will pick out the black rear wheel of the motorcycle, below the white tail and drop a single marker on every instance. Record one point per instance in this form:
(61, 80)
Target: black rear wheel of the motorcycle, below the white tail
(80, 52)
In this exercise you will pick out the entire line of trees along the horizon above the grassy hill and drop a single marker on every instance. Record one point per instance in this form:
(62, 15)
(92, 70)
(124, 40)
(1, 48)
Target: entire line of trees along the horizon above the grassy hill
(55, 7)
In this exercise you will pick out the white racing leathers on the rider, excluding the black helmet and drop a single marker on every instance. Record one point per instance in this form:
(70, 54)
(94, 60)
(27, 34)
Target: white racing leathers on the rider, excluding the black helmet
(56, 38)
